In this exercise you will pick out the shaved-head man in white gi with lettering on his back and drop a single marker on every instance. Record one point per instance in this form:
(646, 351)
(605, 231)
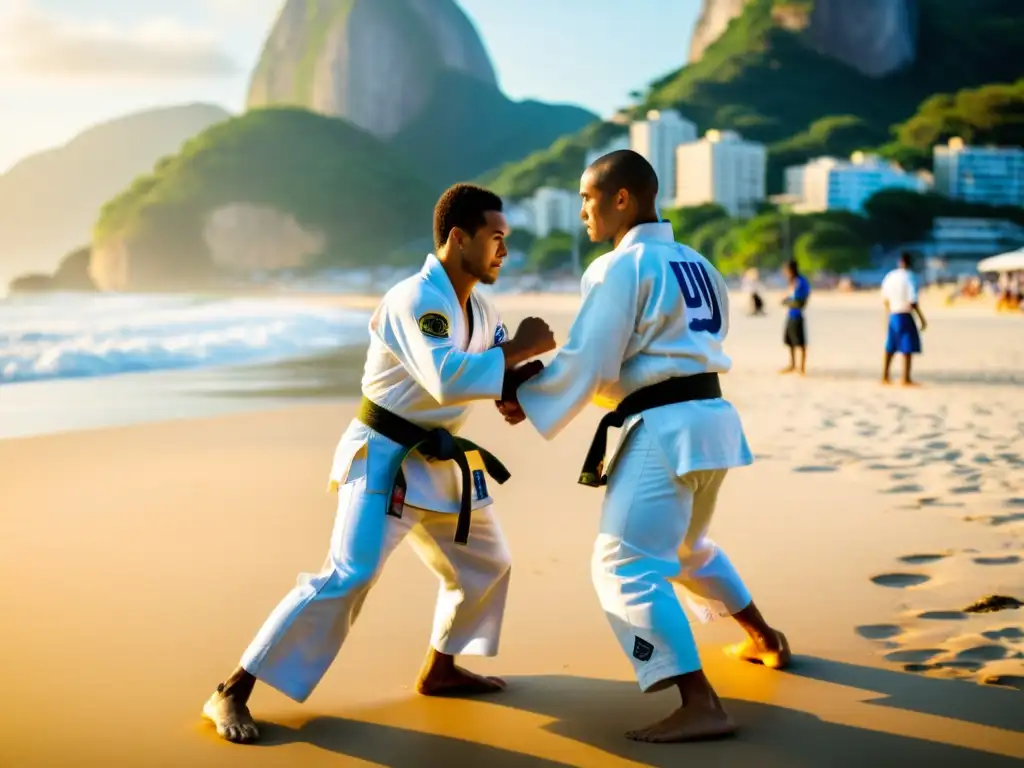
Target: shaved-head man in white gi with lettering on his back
(648, 342)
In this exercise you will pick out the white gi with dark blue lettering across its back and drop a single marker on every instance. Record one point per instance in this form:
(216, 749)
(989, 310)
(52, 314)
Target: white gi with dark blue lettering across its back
(653, 310)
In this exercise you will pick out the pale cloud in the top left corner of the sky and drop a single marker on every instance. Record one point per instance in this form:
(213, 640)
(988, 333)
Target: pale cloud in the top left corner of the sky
(34, 42)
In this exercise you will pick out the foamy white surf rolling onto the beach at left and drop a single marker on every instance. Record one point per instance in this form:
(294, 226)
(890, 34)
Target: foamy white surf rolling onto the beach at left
(66, 336)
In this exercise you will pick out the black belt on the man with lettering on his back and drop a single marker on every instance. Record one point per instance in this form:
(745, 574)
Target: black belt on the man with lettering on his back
(678, 390)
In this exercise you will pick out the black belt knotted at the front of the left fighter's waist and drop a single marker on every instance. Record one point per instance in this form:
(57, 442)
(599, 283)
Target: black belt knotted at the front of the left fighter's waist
(439, 445)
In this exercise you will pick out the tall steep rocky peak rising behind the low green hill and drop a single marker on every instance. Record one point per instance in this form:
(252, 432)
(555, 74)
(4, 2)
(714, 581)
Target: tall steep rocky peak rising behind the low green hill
(401, 70)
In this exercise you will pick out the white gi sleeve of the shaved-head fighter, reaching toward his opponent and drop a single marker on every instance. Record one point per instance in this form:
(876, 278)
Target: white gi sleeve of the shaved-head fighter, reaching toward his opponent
(592, 357)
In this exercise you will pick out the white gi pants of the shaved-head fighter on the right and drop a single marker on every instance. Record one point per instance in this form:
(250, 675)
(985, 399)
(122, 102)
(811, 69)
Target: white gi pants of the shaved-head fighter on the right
(654, 536)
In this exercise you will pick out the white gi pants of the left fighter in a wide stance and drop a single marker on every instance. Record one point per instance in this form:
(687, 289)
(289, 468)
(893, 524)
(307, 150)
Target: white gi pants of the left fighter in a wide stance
(303, 636)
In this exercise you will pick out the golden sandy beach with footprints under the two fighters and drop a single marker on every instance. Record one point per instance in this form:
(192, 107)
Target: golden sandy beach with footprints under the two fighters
(137, 564)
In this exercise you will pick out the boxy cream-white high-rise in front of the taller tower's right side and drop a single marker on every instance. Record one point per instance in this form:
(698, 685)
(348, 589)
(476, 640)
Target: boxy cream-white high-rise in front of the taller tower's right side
(721, 168)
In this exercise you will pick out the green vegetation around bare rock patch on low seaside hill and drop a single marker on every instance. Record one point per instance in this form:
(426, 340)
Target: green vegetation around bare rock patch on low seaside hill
(332, 178)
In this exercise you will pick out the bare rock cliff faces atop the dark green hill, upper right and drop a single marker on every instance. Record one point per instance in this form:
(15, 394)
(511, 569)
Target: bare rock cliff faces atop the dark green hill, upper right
(875, 37)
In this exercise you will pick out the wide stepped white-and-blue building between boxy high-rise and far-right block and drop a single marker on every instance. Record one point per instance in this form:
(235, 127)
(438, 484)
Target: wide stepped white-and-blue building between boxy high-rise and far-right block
(833, 185)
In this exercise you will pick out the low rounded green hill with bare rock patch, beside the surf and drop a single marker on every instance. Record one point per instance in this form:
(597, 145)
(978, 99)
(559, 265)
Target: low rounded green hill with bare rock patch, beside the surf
(275, 189)
